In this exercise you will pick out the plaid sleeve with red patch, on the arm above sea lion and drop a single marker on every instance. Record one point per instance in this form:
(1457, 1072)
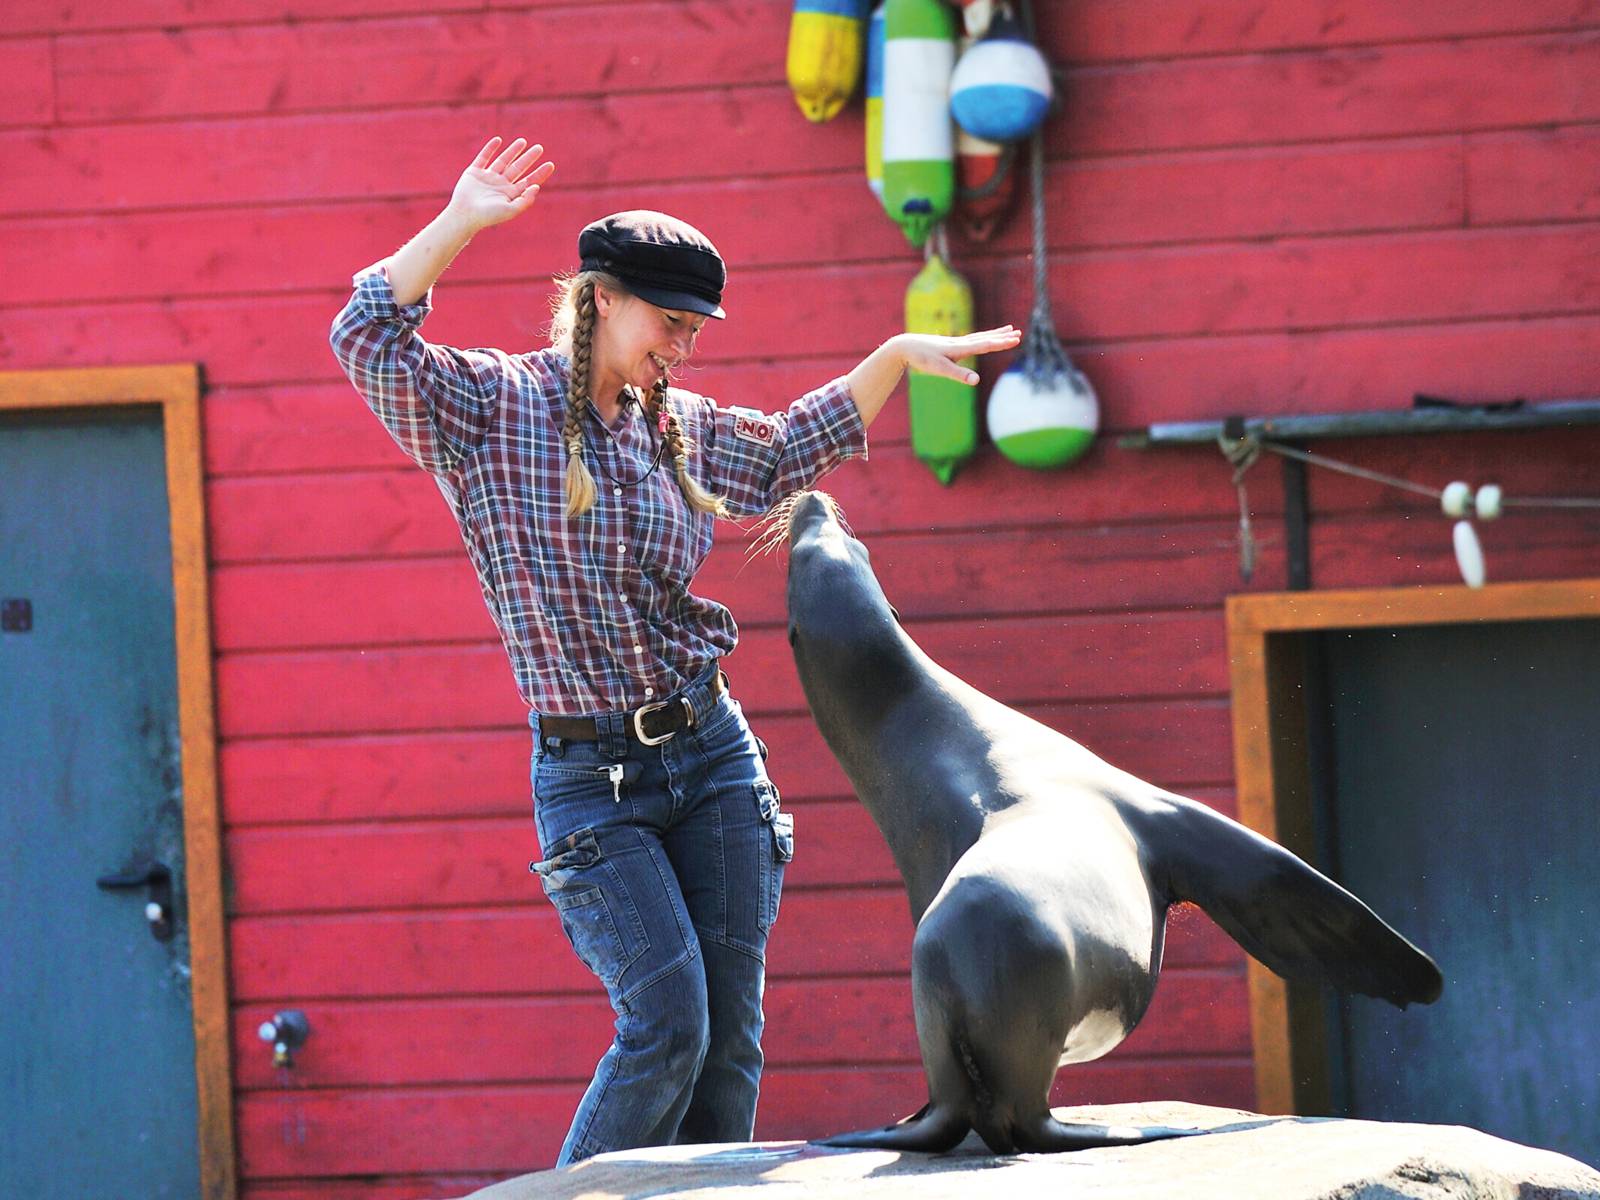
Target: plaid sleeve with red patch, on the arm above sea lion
(759, 458)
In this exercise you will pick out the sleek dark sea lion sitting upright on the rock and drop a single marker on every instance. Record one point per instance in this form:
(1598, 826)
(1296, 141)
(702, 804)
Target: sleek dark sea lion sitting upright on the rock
(1039, 874)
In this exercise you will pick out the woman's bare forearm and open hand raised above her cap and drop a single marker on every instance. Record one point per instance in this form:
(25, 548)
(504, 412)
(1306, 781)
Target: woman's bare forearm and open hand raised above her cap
(498, 186)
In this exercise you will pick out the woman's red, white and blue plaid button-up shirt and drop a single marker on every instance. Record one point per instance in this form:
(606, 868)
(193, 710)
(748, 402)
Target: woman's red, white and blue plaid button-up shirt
(596, 612)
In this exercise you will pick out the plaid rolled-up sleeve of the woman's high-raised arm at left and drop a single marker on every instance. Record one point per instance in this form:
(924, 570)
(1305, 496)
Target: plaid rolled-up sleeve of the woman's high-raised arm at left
(434, 401)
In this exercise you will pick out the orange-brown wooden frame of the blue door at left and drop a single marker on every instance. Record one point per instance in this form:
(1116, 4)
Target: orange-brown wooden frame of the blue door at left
(175, 391)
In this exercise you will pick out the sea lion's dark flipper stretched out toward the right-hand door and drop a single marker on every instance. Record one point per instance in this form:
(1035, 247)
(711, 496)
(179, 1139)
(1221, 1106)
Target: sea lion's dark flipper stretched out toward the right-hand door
(1292, 918)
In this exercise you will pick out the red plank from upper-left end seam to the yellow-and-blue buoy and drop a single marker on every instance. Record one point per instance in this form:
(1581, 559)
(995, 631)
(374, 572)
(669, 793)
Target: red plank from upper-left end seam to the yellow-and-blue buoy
(418, 60)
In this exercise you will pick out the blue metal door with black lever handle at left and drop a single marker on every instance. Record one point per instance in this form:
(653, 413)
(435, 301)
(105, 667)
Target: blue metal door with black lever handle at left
(98, 1052)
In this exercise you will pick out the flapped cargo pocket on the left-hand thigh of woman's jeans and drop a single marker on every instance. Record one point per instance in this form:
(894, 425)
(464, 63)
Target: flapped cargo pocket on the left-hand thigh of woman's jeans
(598, 914)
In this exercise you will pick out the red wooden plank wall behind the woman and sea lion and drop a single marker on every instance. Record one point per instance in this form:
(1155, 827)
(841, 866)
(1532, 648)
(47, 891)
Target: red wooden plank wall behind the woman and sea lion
(1310, 206)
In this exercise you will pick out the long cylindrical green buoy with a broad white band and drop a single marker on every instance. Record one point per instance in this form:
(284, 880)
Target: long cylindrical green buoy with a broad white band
(919, 150)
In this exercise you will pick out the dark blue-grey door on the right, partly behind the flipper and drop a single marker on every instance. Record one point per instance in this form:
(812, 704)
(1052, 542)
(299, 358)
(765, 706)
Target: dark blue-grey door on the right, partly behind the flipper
(1468, 810)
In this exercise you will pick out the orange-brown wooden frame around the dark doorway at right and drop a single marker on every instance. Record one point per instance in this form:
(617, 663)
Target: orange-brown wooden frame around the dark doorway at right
(1266, 638)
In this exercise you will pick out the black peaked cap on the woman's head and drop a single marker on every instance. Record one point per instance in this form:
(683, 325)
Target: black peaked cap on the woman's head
(660, 258)
